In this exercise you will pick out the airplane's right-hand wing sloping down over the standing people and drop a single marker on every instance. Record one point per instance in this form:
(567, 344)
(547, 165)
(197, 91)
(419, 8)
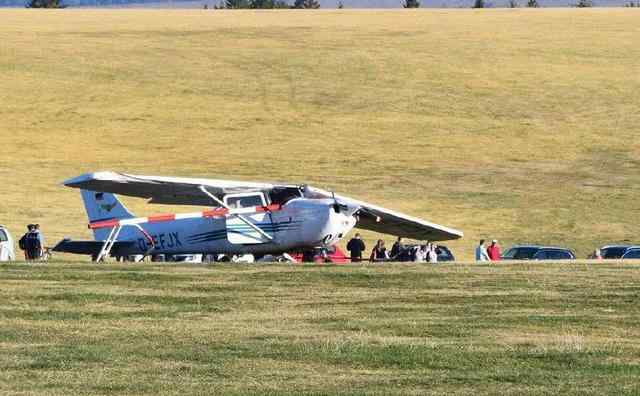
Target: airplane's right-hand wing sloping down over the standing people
(387, 221)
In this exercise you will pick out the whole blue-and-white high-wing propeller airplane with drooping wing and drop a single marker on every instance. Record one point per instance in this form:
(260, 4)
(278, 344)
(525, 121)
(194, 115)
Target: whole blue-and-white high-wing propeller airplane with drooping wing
(244, 217)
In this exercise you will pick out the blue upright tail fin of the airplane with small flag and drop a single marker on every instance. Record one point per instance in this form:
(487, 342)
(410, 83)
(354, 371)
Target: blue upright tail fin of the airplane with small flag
(103, 206)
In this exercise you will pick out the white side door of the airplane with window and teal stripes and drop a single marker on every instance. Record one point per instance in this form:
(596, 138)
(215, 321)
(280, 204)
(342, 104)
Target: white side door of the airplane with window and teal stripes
(241, 233)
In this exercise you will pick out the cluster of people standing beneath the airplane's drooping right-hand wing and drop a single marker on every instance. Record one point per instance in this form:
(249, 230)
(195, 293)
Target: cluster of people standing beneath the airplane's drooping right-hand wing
(399, 252)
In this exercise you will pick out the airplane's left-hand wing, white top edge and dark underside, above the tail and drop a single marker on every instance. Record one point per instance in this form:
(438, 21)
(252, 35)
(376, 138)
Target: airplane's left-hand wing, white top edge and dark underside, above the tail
(163, 190)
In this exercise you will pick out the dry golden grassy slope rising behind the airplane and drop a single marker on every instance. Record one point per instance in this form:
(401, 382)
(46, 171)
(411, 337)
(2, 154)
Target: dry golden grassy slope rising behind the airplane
(519, 124)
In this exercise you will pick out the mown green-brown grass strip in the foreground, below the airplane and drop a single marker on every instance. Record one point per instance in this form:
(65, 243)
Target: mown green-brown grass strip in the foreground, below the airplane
(395, 329)
